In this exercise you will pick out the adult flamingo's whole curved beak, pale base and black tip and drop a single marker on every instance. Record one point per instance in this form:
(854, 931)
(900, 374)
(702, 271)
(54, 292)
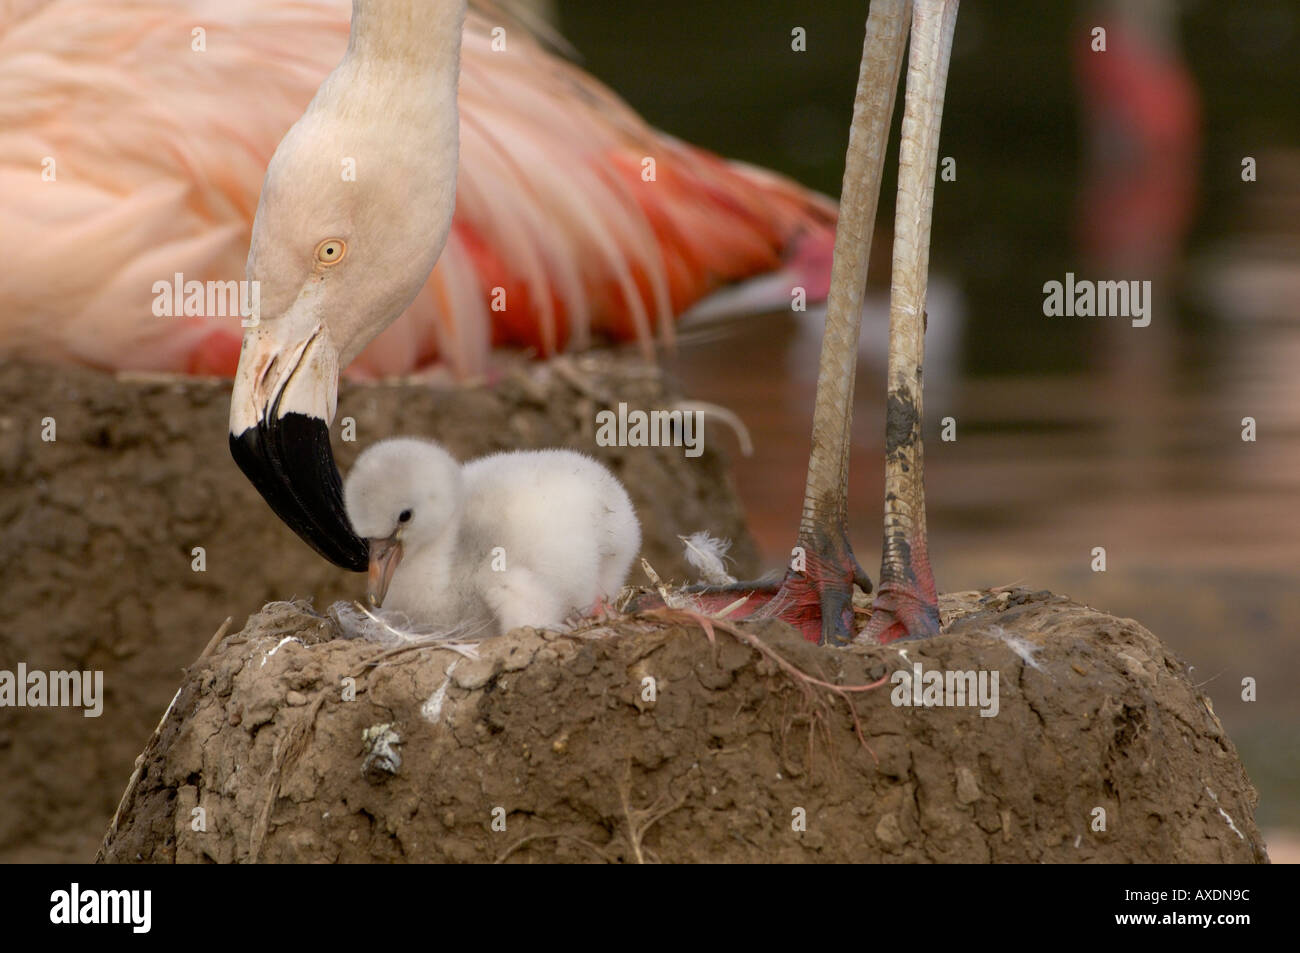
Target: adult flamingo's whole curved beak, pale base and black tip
(281, 409)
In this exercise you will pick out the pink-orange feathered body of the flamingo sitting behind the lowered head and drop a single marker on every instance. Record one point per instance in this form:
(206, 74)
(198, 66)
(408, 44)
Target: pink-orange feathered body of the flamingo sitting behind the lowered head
(159, 149)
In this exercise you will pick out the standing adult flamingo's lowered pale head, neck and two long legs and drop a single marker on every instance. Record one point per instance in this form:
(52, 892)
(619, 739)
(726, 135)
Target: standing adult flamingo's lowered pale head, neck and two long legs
(395, 97)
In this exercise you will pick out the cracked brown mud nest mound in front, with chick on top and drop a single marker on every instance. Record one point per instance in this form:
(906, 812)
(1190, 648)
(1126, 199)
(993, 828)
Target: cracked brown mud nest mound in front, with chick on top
(668, 738)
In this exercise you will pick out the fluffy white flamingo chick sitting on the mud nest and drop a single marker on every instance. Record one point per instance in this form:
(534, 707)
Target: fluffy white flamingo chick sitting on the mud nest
(518, 539)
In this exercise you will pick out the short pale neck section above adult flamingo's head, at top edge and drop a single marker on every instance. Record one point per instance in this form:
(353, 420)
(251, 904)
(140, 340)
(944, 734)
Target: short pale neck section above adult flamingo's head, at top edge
(422, 34)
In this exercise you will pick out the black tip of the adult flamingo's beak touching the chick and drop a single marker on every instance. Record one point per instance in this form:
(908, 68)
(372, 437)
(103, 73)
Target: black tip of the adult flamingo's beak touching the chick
(292, 465)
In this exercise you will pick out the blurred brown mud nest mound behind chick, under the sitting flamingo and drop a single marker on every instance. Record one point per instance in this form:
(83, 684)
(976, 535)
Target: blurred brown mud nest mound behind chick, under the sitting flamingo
(98, 530)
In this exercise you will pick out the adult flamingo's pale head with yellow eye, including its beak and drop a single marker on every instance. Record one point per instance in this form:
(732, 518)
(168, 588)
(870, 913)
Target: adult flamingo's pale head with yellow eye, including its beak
(354, 213)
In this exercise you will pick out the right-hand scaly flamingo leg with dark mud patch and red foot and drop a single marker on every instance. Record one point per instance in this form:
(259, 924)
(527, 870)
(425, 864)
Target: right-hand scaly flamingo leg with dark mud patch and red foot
(907, 601)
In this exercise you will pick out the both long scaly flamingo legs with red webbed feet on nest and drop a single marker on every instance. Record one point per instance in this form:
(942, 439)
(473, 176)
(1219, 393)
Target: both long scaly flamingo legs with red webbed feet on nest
(817, 594)
